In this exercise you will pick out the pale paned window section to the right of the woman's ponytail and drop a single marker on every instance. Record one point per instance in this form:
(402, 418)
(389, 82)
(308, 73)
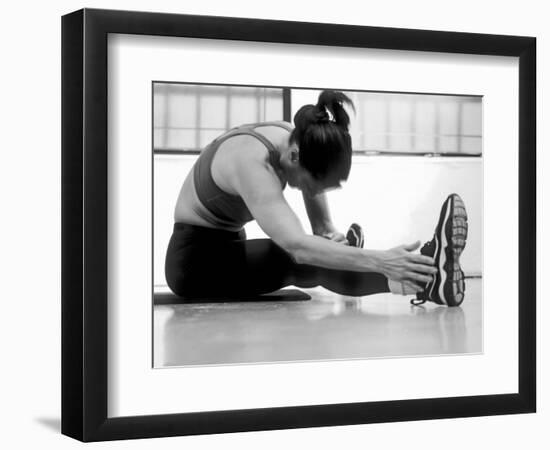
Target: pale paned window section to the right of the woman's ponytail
(416, 124)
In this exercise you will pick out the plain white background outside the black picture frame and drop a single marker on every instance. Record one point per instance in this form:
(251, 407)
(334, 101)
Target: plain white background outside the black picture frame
(30, 195)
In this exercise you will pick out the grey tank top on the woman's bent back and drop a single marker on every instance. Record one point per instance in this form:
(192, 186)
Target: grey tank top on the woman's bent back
(226, 210)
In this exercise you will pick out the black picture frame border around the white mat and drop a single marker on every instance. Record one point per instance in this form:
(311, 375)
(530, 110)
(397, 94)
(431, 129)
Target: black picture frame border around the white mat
(84, 224)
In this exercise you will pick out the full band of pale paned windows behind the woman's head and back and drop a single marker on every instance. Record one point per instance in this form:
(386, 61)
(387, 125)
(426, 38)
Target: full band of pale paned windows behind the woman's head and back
(189, 116)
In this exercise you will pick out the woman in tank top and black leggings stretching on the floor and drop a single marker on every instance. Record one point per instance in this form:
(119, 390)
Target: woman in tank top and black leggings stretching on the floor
(241, 176)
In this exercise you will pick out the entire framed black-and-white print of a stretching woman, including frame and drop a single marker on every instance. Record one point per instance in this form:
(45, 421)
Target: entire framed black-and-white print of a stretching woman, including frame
(273, 224)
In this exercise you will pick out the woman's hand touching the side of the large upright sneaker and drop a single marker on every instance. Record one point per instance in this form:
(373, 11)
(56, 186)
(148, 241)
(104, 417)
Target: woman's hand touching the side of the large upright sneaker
(401, 264)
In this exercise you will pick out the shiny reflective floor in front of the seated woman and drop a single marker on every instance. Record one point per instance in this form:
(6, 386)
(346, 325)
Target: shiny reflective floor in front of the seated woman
(327, 327)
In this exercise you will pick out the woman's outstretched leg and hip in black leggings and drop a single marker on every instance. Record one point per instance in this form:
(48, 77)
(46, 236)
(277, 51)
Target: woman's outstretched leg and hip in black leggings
(202, 264)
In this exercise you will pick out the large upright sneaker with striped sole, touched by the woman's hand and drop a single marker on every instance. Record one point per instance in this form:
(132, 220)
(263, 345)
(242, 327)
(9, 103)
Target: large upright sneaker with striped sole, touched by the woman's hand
(447, 286)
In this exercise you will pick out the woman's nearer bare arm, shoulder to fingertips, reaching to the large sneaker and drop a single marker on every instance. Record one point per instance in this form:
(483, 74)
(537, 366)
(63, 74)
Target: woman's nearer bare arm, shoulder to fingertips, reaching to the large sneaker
(258, 185)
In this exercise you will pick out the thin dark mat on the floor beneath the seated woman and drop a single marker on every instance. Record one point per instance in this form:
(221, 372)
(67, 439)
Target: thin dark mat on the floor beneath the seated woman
(282, 295)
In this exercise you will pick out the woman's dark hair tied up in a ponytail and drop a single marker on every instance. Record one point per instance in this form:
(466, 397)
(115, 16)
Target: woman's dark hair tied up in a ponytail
(324, 142)
